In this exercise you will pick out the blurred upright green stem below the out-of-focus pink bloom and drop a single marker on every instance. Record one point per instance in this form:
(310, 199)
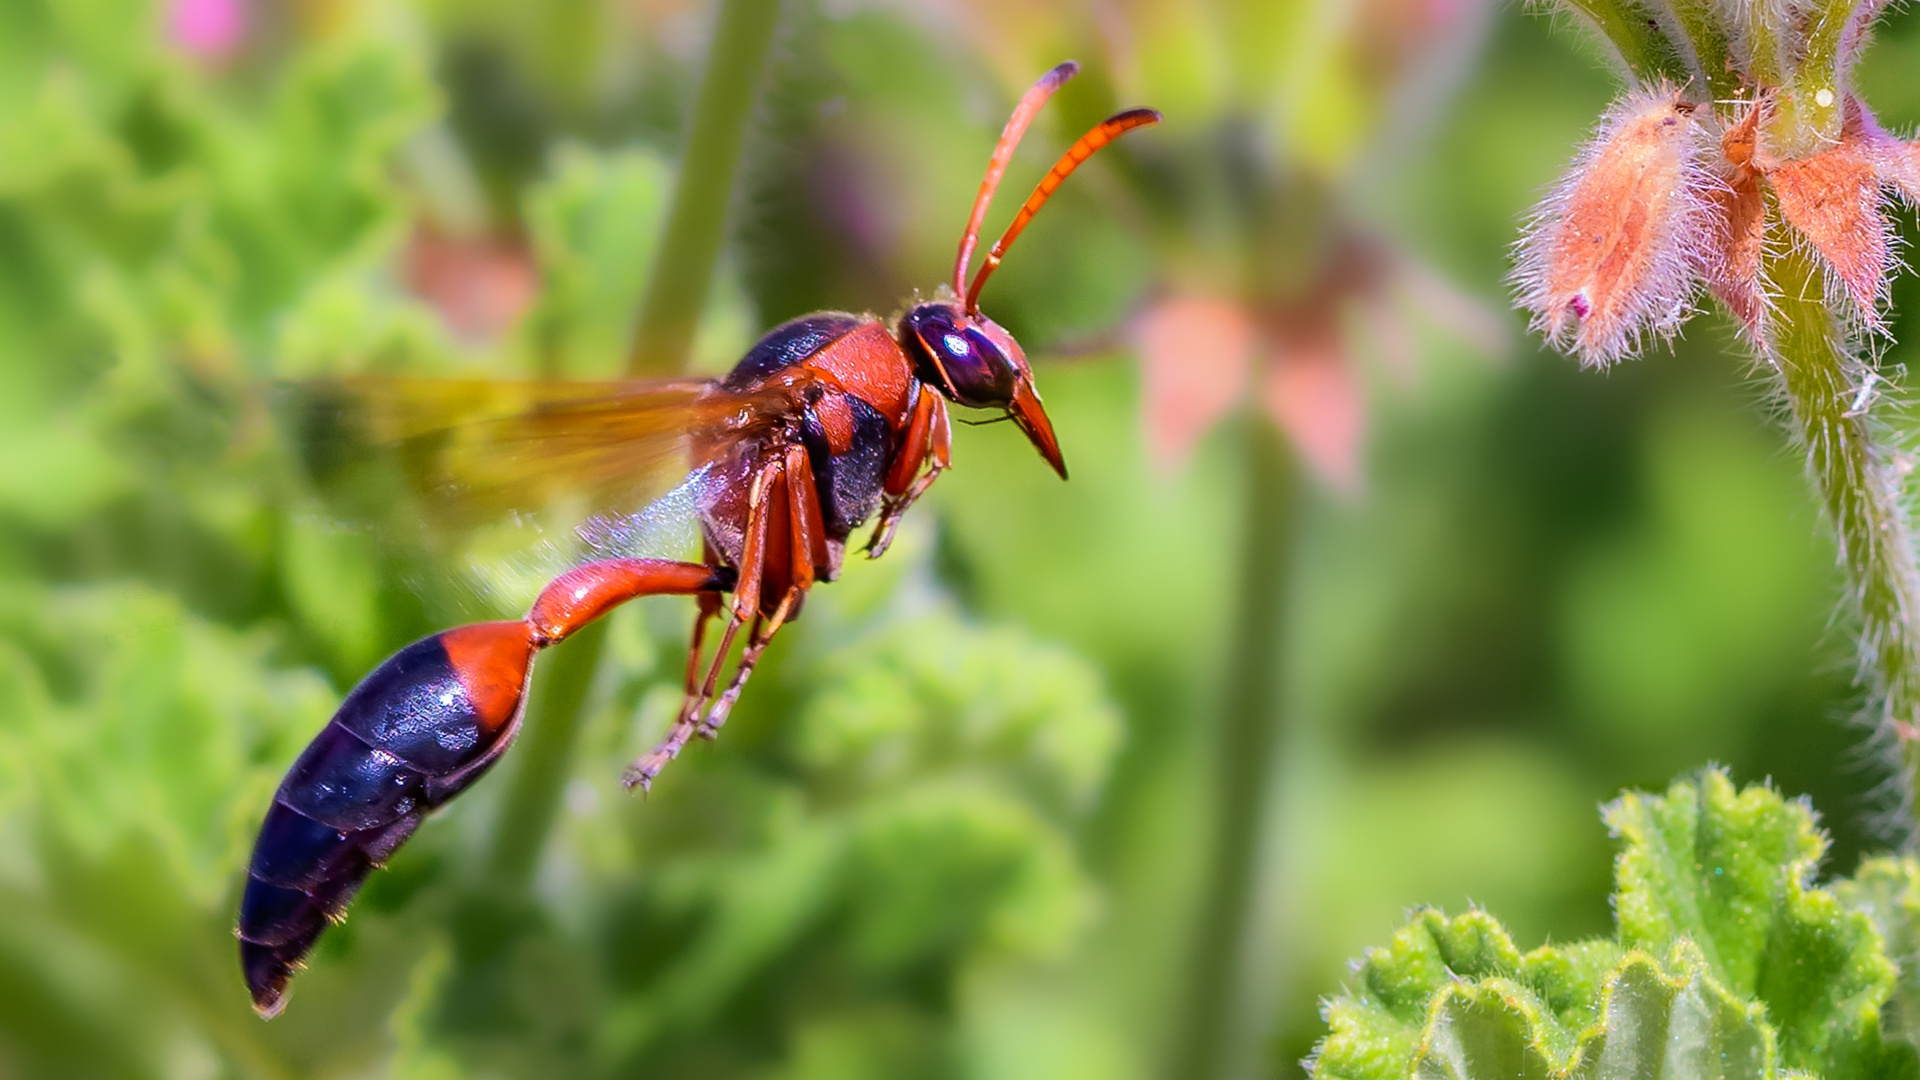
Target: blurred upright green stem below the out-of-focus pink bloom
(1218, 1035)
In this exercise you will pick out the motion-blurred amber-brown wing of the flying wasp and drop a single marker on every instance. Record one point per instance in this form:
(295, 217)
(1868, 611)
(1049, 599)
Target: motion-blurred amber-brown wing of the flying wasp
(473, 451)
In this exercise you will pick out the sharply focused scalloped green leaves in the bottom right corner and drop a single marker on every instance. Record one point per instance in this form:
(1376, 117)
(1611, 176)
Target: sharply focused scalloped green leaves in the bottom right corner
(1731, 962)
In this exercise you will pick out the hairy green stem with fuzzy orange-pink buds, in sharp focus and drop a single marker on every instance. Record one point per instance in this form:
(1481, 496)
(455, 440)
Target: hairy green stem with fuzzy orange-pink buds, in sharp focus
(1742, 160)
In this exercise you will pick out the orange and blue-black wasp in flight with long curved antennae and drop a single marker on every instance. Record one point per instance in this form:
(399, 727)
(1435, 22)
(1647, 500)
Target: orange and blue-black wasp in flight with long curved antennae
(823, 424)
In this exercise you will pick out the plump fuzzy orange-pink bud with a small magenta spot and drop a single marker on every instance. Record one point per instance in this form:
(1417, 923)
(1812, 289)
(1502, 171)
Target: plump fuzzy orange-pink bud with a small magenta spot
(1618, 249)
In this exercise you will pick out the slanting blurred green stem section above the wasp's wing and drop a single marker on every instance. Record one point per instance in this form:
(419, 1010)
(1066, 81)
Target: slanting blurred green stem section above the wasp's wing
(696, 224)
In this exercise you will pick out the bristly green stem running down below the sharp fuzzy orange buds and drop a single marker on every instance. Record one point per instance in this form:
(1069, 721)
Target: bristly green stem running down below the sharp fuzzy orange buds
(1858, 470)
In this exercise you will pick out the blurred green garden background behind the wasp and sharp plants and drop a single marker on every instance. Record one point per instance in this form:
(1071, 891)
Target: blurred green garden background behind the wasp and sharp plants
(1355, 602)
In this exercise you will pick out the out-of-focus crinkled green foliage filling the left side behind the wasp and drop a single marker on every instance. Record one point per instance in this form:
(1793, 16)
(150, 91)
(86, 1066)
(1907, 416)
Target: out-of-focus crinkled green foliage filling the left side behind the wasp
(180, 614)
